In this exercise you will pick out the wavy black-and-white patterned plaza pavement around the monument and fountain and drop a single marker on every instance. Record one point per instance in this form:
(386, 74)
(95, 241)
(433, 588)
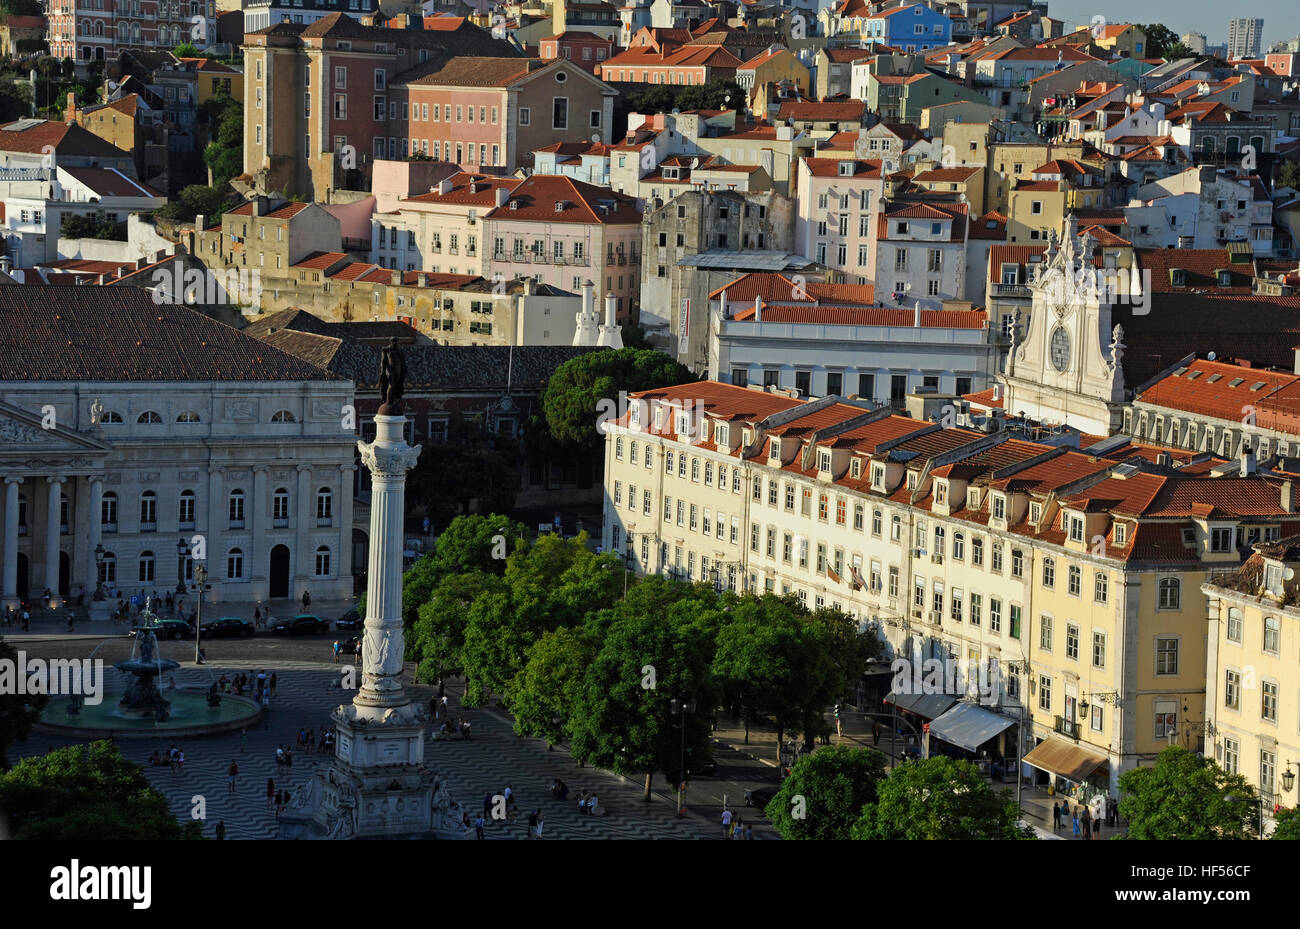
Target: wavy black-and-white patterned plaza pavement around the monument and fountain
(487, 765)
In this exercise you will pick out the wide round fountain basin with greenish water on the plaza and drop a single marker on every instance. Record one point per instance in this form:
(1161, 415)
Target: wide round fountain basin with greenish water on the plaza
(190, 717)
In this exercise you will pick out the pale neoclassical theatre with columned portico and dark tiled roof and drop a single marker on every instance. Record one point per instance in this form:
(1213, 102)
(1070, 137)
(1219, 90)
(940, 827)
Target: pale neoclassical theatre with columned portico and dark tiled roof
(140, 440)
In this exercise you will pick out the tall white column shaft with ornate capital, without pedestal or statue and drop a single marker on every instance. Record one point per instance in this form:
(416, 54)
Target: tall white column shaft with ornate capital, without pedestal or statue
(389, 459)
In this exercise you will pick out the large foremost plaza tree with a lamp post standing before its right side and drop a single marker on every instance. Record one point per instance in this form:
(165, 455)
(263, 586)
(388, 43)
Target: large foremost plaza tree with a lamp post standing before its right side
(648, 658)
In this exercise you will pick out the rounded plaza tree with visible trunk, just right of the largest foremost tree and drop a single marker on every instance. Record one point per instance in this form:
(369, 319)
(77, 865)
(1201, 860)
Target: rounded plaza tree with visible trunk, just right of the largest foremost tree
(774, 659)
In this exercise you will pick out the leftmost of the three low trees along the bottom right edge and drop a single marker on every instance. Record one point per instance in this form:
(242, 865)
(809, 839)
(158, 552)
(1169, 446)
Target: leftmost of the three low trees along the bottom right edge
(826, 792)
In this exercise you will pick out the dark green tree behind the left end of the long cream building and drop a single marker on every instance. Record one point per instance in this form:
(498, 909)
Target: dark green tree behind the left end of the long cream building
(578, 387)
